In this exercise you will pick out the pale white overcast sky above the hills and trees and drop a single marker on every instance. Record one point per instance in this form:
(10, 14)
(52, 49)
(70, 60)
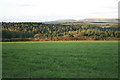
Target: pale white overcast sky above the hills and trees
(49, 10)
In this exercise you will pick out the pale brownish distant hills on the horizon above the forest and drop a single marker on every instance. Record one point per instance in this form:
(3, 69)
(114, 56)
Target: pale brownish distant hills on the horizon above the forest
(101, 21)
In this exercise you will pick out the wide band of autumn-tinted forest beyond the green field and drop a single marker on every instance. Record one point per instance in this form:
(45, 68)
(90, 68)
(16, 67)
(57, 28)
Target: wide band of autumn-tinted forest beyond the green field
(34, 31)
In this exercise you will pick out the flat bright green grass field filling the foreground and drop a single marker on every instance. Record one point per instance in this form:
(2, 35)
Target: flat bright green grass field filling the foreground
(60, 59)
